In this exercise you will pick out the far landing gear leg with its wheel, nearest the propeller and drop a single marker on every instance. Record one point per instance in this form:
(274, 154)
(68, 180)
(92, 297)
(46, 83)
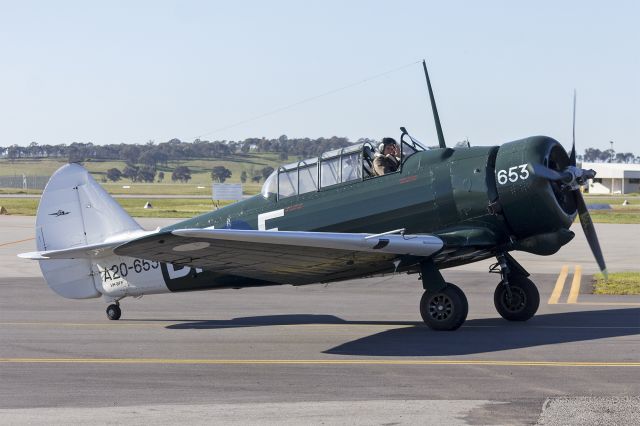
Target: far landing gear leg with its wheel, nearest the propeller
(516, 297)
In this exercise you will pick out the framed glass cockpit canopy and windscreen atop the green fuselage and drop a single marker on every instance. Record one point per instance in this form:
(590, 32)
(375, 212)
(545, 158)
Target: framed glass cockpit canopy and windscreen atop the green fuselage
(352, 163)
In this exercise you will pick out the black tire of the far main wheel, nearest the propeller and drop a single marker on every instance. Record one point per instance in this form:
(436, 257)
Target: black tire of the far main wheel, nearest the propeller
(524, 302)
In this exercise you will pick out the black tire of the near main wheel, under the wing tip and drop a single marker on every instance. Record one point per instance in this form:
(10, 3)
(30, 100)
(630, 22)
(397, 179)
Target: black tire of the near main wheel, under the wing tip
(444, 310)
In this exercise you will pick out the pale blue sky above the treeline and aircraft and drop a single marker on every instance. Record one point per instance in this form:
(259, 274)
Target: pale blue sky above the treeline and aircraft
(133, 71)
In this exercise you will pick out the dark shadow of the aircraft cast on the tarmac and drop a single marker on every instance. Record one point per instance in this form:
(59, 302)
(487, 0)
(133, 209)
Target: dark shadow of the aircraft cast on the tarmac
(476, 336)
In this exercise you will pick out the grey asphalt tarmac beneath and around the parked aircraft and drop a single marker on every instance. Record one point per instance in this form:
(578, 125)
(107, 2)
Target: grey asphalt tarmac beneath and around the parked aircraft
(348, 353)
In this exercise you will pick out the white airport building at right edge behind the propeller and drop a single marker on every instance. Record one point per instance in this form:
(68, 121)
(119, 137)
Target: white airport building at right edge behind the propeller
(614, 178)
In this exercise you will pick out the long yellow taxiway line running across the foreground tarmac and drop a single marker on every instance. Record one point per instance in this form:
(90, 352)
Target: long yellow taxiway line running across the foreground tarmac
(173, 361)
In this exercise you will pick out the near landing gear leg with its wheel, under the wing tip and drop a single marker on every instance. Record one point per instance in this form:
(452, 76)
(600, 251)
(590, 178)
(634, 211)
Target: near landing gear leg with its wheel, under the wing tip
(443, 305)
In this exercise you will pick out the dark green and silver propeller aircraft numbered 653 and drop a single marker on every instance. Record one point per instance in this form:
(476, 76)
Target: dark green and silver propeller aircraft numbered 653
(330, 219)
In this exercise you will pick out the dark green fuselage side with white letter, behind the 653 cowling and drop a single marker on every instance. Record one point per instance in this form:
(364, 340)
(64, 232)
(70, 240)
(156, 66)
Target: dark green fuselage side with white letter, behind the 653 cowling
(433, 191)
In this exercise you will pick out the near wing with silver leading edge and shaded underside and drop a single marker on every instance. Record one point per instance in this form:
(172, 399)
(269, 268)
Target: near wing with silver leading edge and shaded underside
(293, 257)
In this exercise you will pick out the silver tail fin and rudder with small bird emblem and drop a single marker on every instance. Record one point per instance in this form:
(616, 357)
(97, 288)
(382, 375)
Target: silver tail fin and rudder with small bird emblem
(76, 211)
